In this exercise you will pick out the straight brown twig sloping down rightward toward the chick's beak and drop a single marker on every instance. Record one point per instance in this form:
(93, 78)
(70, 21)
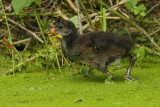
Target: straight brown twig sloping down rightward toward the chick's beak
(32, 33)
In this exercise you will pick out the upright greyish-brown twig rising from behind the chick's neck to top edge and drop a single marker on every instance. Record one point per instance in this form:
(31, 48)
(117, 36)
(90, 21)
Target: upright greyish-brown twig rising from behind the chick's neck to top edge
(79, 18)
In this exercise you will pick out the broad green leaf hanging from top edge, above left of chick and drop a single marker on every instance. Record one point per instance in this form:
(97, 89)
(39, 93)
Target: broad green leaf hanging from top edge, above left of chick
(18, 5)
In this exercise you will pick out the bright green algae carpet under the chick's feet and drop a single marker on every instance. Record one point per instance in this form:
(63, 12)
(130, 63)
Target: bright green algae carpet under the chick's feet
(34, 87)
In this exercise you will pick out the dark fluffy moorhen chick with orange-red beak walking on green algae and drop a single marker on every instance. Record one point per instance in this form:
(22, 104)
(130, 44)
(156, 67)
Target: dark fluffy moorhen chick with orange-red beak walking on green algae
(97, 49)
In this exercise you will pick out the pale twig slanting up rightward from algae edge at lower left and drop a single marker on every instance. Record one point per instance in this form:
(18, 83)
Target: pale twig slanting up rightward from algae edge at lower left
(19, 65)
